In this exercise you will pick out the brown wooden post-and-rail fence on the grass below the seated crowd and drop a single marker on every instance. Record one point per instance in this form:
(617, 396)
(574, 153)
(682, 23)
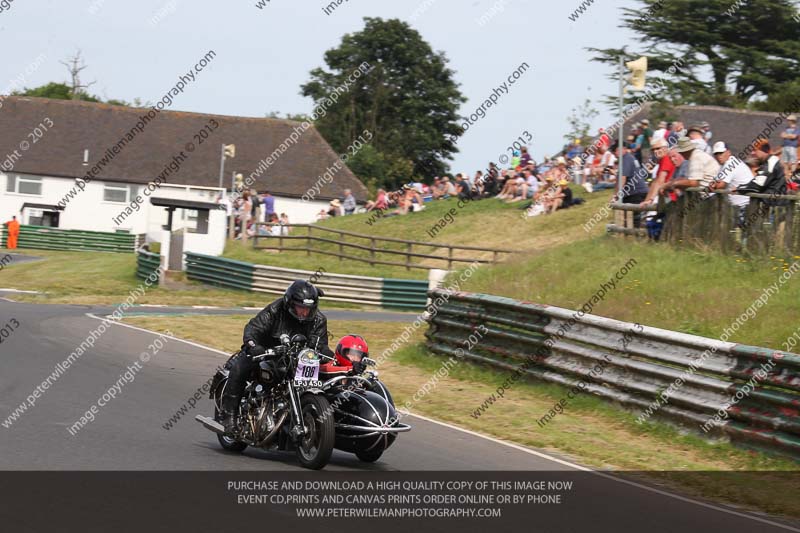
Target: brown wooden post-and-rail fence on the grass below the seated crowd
(373, 248)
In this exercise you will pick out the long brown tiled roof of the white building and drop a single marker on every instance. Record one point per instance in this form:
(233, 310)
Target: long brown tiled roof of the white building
(97, 127)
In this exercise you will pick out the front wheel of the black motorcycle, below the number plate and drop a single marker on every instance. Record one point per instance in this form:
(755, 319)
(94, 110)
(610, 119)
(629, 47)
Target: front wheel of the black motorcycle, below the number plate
(314, 449)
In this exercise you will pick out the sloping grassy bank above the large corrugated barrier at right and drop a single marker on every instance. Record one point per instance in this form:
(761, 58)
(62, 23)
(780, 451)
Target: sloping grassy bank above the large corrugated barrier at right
(683, 290)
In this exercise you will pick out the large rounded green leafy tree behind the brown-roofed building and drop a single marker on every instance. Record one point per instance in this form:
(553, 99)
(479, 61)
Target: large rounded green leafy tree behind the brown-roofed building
(408, 100)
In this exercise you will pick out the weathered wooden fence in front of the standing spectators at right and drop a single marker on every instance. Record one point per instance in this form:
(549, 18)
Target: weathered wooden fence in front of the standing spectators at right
(769, 225)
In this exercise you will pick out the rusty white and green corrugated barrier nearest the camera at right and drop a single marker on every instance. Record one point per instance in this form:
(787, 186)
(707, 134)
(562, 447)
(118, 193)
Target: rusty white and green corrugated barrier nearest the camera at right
(639, 365)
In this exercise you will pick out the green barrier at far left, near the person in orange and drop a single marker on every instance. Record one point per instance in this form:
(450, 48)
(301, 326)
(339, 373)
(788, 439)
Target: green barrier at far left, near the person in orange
(46, 238)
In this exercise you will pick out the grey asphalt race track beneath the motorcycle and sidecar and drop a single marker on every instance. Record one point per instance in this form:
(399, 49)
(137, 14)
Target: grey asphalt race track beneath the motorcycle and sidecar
(128, 433)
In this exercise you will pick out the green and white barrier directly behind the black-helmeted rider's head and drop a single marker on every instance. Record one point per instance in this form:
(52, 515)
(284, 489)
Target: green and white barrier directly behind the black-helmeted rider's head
(383, 292)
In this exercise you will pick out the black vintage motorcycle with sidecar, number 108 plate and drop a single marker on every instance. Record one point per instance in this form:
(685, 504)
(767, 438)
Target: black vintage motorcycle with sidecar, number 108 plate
(289, 404)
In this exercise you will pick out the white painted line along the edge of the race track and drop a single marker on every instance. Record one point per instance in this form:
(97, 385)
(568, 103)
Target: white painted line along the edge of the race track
(524, 449)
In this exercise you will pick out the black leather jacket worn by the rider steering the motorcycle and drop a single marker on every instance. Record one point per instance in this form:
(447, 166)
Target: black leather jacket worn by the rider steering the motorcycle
(274, 320)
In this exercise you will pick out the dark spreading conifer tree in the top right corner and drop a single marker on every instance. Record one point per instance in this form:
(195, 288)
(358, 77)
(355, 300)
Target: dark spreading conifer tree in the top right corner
(728, 53)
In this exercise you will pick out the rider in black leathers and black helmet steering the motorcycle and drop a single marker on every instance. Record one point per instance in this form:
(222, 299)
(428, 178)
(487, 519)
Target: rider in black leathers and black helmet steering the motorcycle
(294, 313)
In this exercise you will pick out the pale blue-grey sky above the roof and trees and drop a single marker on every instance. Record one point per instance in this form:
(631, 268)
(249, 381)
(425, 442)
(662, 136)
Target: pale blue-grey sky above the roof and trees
(263, 56)
